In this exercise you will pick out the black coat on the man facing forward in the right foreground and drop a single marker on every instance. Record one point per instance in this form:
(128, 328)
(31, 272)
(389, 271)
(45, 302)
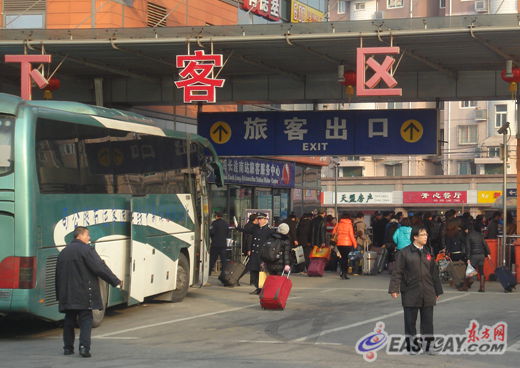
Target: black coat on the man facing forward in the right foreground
(416, 277)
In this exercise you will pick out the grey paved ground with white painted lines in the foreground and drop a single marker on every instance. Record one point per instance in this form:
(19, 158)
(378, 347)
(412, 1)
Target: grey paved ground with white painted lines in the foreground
(225, 327)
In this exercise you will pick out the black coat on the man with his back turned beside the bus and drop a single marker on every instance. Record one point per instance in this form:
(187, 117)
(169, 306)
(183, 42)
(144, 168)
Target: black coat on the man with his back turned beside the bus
(77, 272)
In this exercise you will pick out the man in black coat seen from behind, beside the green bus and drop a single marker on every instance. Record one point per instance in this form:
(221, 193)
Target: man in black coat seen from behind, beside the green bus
(77, 289)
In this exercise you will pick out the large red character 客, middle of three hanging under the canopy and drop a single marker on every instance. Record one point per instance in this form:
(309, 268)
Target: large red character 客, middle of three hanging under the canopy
(196, 80)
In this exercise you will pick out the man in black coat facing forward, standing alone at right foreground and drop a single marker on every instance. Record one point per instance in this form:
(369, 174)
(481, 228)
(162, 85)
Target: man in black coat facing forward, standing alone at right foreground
(416, 277)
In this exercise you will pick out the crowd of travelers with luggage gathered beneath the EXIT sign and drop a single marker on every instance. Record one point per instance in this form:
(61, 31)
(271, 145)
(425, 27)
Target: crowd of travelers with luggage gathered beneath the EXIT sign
(457, 238)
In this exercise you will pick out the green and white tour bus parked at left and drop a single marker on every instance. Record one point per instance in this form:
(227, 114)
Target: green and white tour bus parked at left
(140, 189)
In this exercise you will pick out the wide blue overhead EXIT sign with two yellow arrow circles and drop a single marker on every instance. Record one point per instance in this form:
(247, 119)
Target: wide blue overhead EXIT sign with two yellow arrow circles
(320, 133)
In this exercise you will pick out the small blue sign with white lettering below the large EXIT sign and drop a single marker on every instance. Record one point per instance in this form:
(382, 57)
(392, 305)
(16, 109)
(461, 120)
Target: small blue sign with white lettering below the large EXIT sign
(258, 172)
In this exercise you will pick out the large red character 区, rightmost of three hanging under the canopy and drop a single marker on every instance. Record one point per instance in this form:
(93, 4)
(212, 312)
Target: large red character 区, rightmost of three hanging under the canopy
(381, 72)
